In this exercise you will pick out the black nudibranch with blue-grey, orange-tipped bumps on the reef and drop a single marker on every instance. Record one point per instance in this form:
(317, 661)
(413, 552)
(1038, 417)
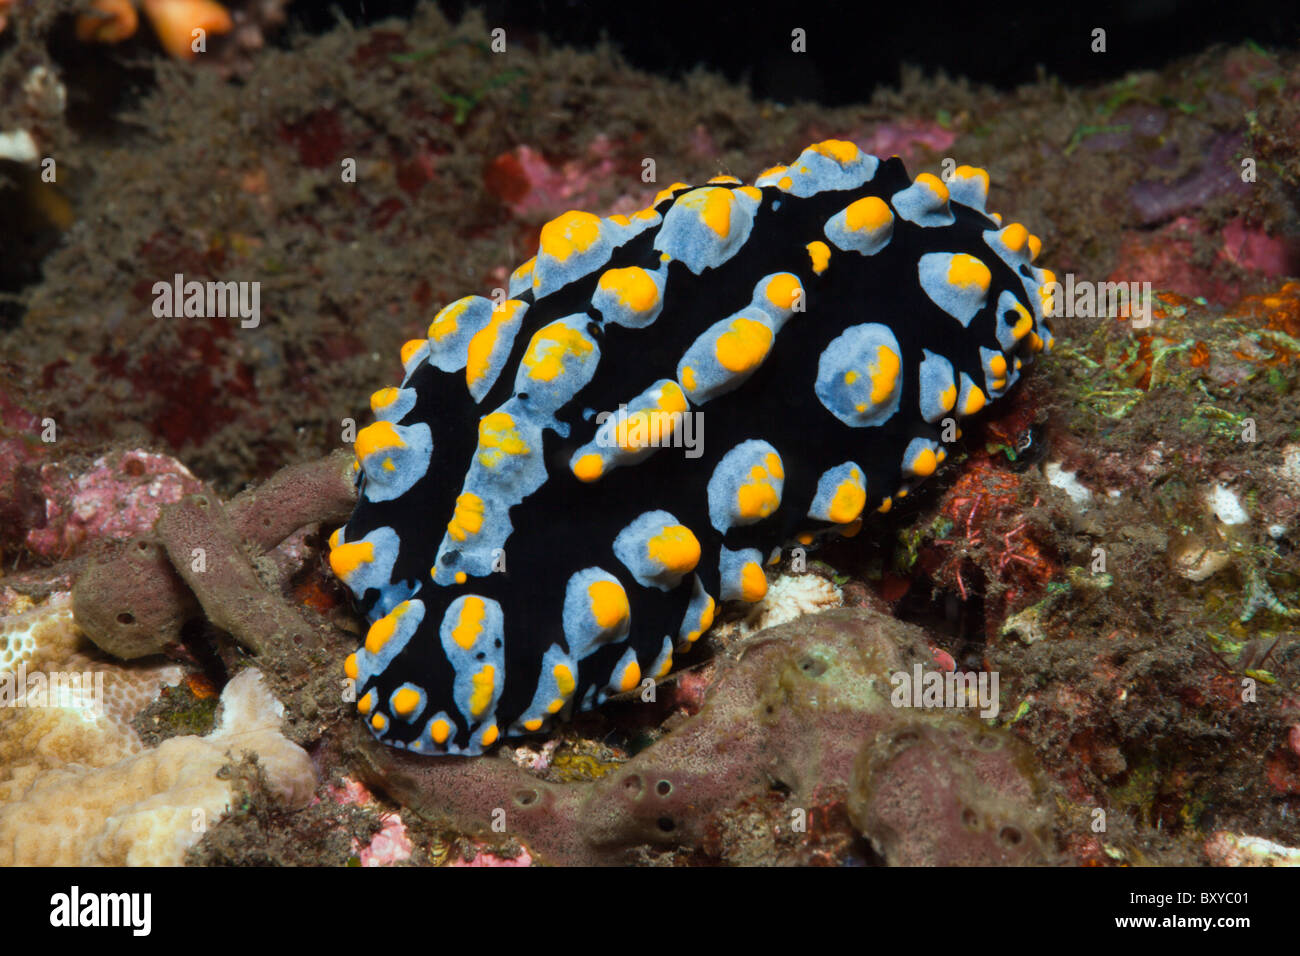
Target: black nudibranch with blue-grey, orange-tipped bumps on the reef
(575, 473)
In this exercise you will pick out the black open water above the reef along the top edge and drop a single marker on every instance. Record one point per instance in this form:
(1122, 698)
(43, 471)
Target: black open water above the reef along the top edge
(855, 47)
